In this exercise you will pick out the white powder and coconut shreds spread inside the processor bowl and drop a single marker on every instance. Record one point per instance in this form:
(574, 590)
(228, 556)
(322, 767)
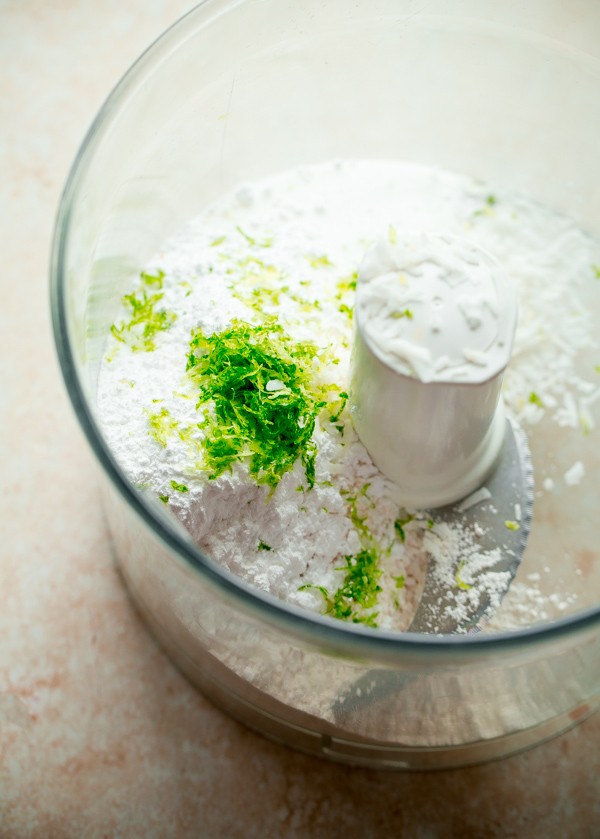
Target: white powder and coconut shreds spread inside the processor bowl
(289, 247)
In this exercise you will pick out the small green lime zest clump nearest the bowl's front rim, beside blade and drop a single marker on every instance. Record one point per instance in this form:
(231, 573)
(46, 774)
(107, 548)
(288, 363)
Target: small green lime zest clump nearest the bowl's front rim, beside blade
(358, 592)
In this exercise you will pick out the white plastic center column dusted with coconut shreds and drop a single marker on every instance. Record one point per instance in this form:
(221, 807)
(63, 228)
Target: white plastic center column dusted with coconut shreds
(435, 317)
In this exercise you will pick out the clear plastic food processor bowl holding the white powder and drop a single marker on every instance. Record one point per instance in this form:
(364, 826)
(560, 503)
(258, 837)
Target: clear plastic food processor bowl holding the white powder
(239, 90)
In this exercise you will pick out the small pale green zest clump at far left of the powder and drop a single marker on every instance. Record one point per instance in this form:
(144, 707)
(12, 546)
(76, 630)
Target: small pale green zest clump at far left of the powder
(147, 320)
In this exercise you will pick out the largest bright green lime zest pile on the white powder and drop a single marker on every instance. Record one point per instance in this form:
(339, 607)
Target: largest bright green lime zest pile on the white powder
(259, 384)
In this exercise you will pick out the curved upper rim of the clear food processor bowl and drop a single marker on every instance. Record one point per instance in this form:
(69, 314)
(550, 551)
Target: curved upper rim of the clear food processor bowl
(349, 638)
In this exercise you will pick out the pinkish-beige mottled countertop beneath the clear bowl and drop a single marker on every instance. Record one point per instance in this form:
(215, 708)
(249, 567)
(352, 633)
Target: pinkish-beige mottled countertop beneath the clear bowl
(99, 735)
